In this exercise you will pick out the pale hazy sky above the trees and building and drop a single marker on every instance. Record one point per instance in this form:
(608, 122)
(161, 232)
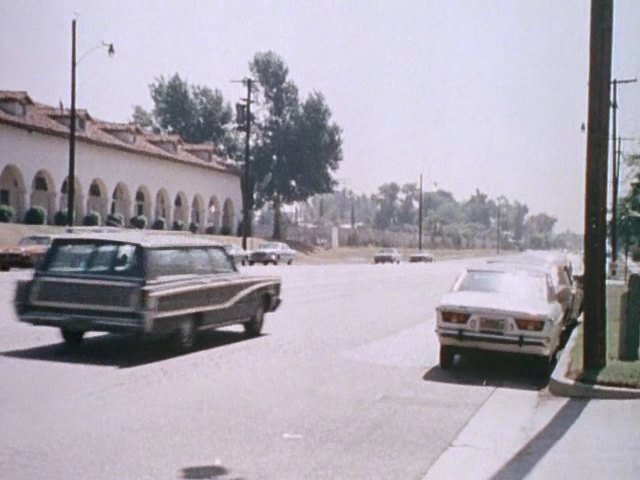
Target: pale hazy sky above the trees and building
(486, 94)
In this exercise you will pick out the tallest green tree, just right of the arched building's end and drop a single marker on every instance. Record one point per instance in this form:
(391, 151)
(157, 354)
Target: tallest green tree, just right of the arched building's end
(297, 147)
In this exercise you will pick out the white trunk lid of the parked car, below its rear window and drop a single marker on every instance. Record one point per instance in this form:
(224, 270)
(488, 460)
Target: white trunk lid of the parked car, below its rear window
(474, 301)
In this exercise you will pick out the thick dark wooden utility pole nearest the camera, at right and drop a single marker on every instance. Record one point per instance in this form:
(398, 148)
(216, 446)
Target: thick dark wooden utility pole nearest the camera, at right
(601, 32)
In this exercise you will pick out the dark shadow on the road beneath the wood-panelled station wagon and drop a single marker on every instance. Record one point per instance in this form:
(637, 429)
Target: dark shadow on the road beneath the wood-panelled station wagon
(123, 351)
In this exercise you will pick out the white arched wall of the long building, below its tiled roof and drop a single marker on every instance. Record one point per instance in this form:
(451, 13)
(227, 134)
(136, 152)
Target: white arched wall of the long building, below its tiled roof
(23, 154)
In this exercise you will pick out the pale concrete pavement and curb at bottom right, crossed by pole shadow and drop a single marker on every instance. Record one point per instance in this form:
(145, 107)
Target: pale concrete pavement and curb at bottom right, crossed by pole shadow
(536, 435)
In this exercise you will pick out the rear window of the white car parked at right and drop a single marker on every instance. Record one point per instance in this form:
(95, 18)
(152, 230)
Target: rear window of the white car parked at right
(520, 285)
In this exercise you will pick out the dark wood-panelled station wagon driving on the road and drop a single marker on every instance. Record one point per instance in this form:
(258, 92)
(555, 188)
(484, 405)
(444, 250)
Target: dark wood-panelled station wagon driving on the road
(131, 282)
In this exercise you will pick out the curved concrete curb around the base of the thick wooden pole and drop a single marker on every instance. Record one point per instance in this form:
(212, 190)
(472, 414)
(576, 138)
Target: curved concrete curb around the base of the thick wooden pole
(563, 386)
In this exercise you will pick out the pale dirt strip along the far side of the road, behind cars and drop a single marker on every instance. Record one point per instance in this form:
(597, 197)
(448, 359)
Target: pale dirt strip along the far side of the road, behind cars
(308, 255)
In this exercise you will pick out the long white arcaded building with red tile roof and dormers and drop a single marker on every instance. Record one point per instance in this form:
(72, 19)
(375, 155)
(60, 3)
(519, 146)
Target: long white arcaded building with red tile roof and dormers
(120, 168)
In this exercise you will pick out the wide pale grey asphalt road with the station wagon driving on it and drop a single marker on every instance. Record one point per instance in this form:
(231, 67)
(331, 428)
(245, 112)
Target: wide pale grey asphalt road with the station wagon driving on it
(343, 383)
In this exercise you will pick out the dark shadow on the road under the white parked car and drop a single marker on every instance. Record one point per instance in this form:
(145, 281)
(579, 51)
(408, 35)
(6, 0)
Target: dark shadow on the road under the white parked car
(492, 369)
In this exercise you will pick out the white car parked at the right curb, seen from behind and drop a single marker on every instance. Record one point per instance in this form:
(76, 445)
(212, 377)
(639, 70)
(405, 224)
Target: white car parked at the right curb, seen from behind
(502, 308)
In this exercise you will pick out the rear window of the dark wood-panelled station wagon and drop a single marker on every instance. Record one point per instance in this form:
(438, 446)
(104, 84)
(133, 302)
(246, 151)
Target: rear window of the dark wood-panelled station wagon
(94, 258)
